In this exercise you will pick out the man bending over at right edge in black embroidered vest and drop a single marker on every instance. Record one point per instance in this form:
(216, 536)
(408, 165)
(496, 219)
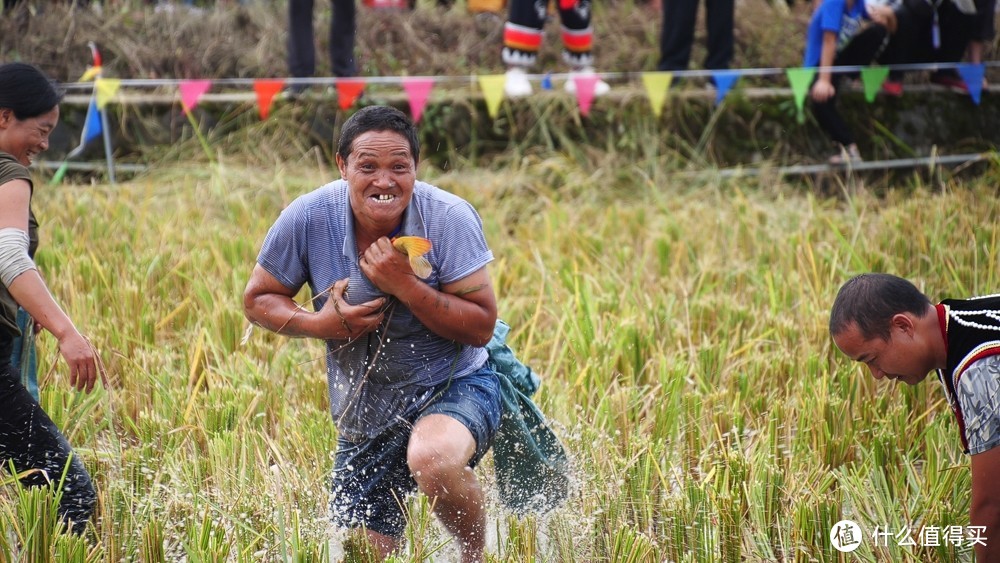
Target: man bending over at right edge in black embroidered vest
(886, 323)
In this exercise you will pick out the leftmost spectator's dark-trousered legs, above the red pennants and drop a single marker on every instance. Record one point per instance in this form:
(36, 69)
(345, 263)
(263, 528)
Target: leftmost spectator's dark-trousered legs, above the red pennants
(301, 47)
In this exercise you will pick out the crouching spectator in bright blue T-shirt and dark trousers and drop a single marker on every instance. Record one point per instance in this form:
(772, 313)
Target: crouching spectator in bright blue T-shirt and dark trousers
(843, 33)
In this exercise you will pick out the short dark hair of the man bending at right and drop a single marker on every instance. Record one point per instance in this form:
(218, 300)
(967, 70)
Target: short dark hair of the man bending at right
(871, 300)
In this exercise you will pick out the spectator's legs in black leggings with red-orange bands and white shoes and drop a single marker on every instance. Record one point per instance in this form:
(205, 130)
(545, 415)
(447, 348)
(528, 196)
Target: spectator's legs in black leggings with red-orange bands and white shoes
(522, 39)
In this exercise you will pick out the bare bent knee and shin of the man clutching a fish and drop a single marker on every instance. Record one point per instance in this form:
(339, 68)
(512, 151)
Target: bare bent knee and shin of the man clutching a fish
(438, 455)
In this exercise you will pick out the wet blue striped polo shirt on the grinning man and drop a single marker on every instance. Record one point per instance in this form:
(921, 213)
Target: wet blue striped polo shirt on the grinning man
(388, 374)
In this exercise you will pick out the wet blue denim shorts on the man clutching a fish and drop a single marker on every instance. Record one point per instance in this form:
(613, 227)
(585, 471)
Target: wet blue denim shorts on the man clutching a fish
(371, 479)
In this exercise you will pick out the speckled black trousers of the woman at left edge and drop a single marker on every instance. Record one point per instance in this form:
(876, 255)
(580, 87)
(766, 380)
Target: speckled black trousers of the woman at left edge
(31, 441)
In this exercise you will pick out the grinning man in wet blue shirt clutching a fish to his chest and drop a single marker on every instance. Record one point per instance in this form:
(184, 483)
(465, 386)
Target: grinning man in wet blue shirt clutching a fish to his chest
(415, 403)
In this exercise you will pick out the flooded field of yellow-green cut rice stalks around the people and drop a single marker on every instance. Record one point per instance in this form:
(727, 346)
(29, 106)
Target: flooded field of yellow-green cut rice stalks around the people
(678, 322)
